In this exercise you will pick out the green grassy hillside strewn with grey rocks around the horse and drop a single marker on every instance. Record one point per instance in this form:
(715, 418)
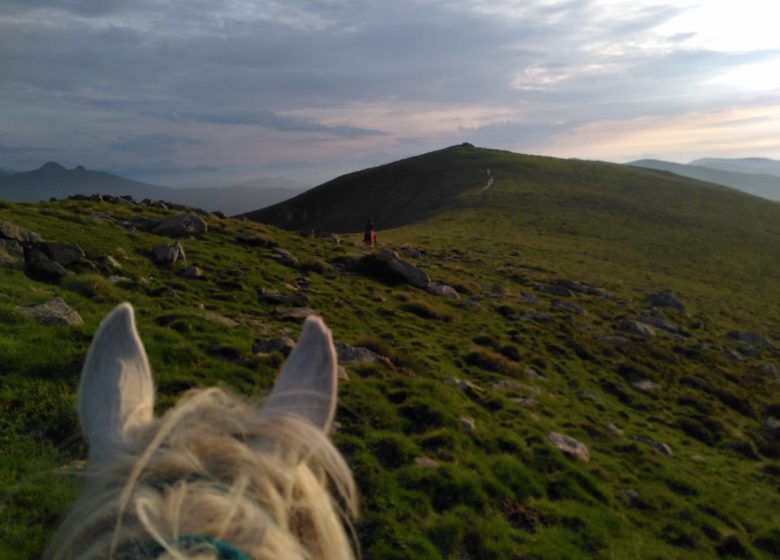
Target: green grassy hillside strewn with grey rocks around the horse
(551, 262)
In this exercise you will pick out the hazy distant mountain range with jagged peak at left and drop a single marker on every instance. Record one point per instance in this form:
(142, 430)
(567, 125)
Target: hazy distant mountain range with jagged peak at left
(52, 180)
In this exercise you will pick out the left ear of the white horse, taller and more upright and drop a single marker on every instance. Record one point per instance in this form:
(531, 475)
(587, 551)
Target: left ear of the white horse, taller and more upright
(116, 392)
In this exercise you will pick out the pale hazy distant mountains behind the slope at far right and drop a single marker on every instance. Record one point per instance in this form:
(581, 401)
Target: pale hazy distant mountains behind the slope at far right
(763, 185)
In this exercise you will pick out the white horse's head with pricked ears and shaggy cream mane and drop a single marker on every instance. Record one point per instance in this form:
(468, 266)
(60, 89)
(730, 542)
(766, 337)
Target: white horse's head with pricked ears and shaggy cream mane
(216, 477)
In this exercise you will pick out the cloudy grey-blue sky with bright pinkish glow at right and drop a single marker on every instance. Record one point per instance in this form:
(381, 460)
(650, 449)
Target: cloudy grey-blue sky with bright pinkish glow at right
(210, 92)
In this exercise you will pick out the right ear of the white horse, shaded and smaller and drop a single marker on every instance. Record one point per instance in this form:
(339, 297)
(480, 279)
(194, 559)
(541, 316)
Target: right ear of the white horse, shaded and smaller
(307, 384)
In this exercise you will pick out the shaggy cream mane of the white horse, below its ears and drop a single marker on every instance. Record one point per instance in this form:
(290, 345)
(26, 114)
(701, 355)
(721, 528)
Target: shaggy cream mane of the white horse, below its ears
(214, 468)
